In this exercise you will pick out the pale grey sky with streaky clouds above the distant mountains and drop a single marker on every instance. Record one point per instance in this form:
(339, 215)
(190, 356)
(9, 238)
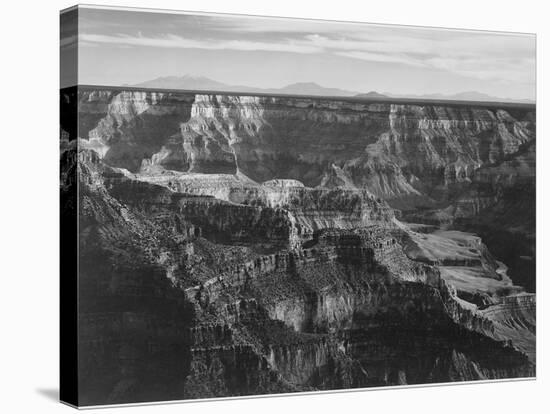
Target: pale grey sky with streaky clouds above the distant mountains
(121, 47)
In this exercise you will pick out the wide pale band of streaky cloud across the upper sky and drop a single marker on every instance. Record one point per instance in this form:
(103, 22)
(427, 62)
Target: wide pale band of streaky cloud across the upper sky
(473, 54)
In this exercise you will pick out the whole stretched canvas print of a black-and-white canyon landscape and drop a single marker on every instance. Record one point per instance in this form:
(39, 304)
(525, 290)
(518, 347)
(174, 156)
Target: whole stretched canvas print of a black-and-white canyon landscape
(255, 206)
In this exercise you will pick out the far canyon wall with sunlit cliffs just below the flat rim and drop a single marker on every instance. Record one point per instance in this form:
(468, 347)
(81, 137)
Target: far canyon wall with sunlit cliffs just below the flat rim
(393, 150)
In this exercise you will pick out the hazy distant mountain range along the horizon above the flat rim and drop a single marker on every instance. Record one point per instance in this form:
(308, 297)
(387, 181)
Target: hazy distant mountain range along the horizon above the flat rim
(188, 82)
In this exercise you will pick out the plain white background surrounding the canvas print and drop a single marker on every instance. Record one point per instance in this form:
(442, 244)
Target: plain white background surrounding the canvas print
(29, 206)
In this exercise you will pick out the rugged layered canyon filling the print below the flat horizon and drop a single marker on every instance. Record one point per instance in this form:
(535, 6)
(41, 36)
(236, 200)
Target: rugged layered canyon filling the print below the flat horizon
(234, 244)
